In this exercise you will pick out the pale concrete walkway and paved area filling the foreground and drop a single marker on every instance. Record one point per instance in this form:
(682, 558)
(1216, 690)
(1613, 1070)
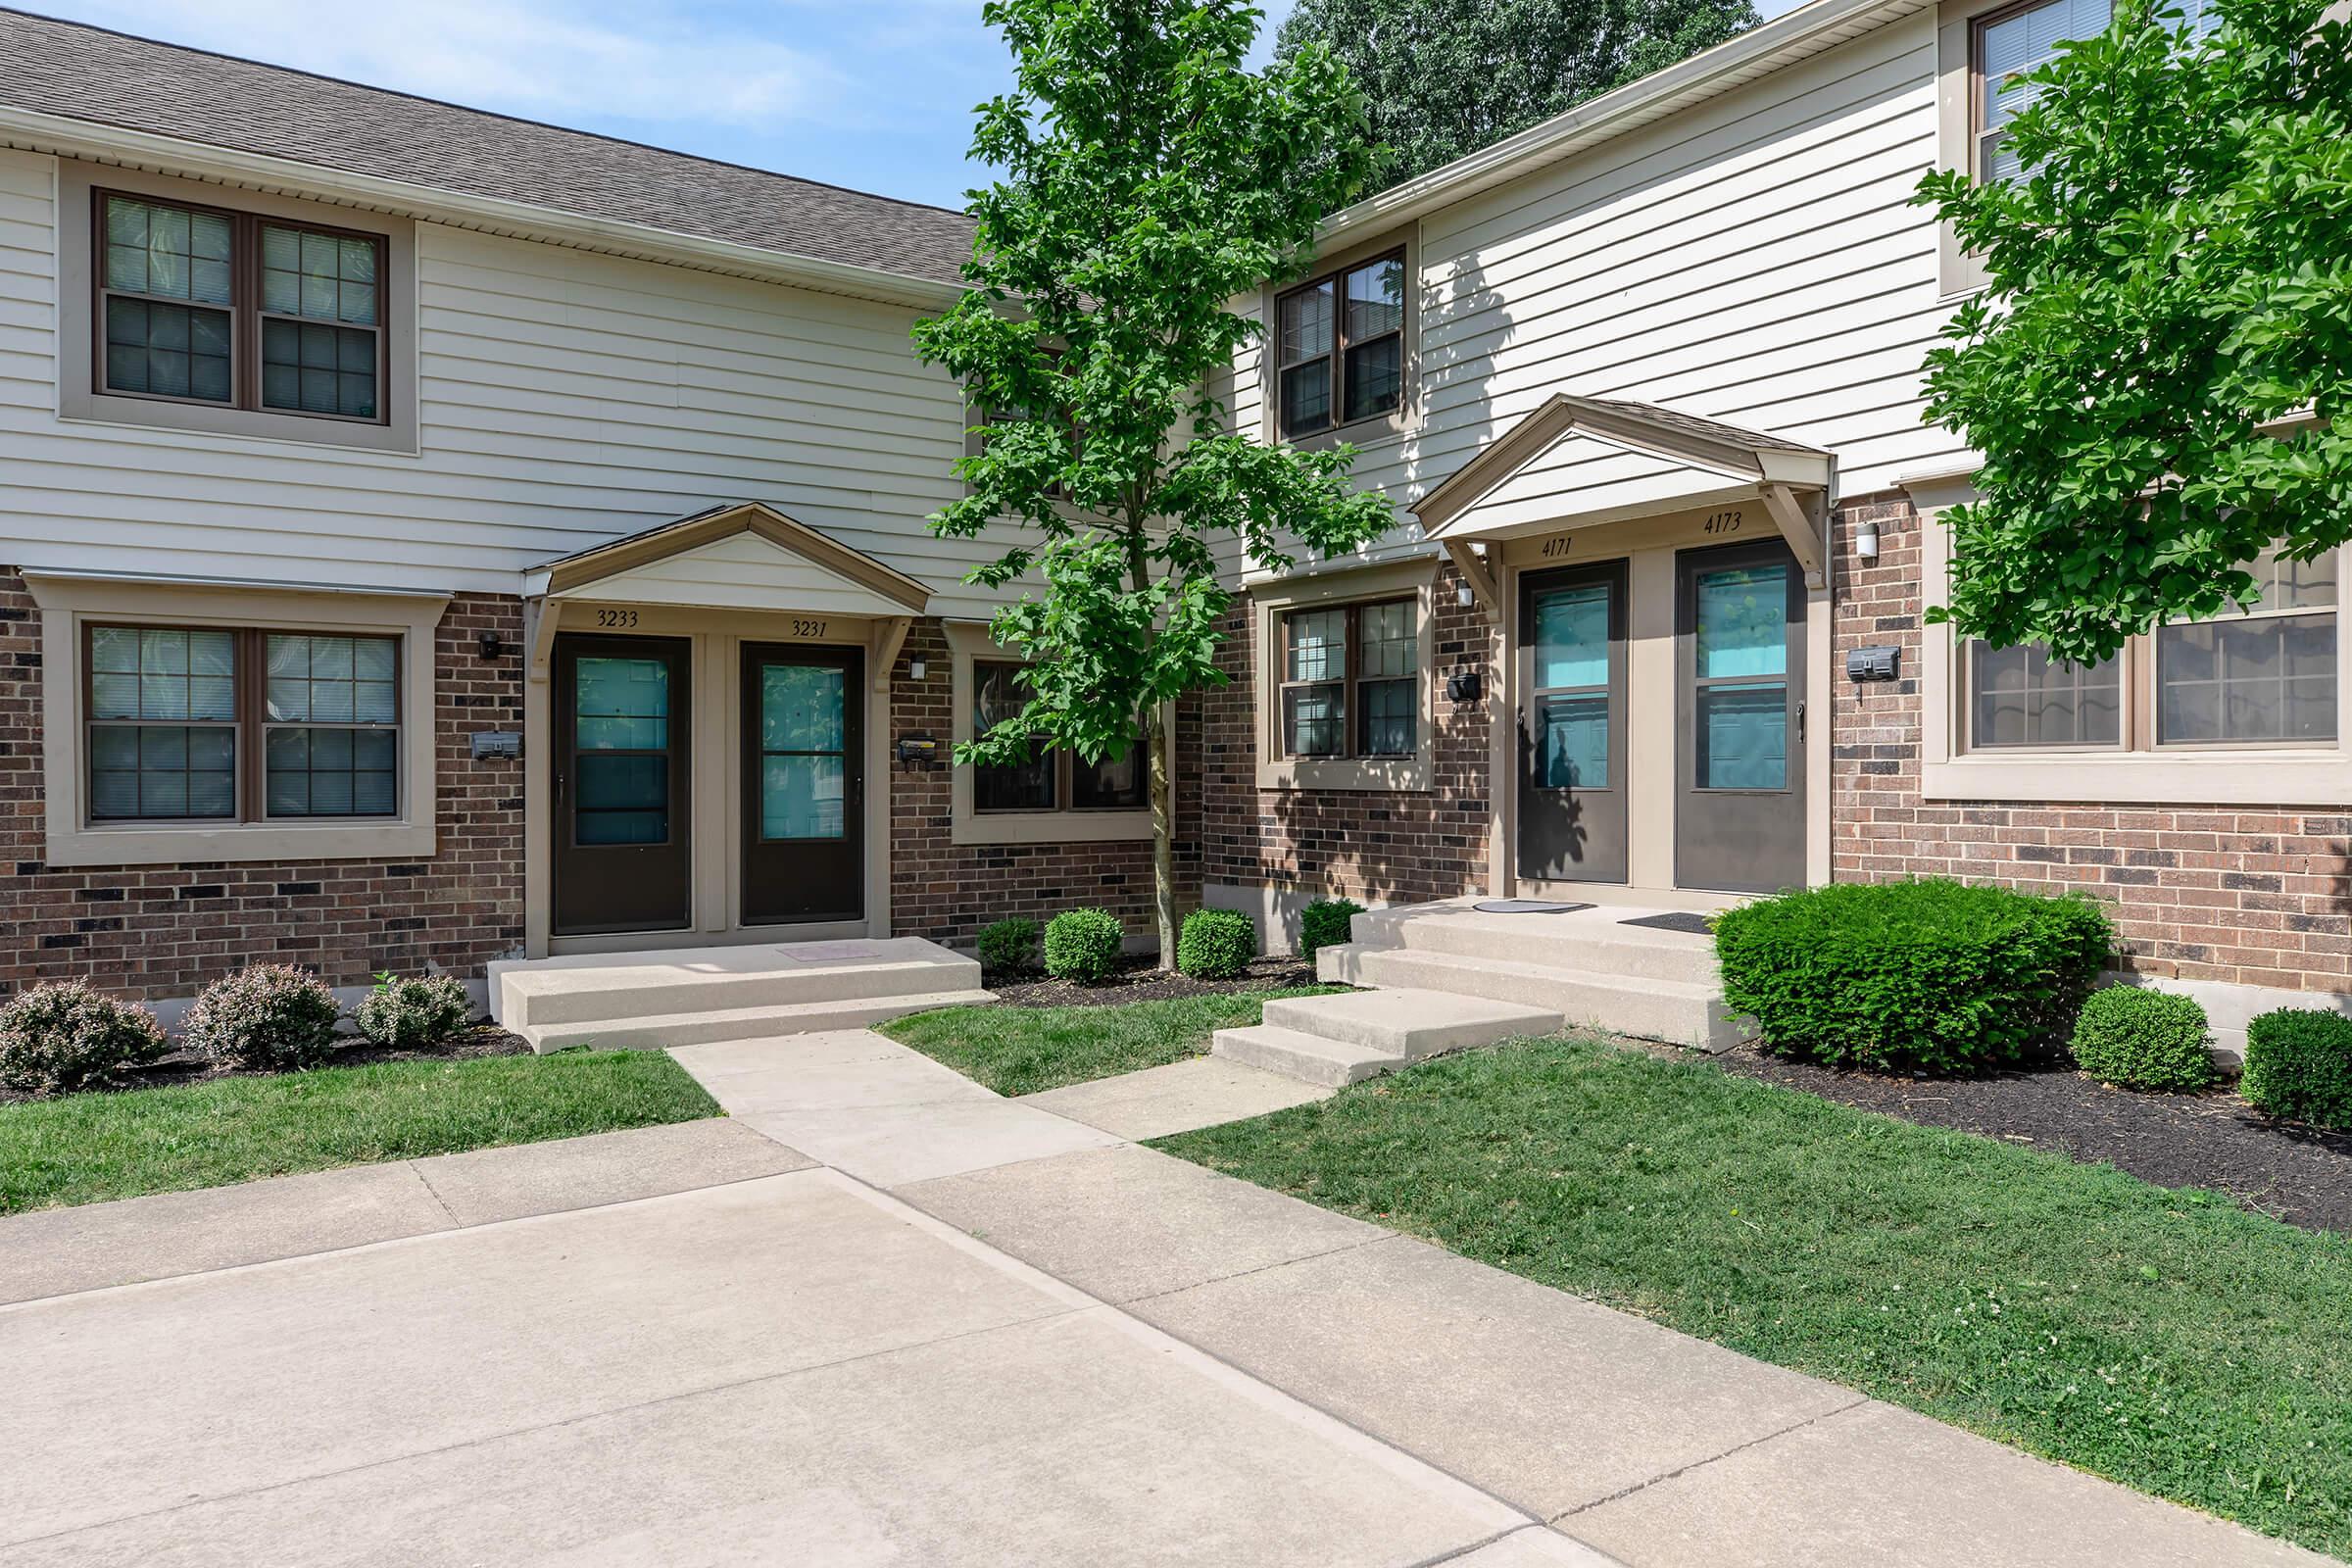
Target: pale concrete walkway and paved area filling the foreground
(890, 1318)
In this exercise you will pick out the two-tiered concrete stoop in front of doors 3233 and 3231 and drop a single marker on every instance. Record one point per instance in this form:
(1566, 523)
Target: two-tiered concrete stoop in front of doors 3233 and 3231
(700, 996)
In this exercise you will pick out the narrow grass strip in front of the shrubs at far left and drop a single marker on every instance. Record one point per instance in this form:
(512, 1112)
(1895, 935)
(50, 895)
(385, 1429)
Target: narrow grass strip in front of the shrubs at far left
(109, 1146)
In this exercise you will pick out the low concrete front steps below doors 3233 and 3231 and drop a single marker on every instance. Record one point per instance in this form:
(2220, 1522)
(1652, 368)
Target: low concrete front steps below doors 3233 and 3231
(613, 989)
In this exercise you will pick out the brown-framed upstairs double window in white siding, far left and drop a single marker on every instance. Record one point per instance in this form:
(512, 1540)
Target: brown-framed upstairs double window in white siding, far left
(239, 311)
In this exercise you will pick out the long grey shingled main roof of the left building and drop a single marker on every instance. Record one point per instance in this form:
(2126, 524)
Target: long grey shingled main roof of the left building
(192, 95)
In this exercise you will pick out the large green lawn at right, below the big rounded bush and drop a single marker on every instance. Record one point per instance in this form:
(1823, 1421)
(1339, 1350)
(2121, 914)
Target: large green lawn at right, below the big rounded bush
(2163, 1339)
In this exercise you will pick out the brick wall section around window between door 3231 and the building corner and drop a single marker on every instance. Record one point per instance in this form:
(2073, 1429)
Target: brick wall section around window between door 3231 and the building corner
(947, 892)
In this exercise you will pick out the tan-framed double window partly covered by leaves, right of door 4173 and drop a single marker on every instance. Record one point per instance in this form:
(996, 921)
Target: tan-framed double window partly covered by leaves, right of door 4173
(2261, 674)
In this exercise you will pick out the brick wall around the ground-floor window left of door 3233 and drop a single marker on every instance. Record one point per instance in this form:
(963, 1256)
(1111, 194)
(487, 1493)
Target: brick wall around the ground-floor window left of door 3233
(168, 930)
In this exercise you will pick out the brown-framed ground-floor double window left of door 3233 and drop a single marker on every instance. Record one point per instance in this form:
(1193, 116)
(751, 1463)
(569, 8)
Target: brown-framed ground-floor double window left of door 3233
(227, 725)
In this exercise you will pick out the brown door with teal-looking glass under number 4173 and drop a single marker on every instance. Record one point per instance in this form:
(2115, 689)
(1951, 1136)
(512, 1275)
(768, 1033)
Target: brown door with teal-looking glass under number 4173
(1739, 657)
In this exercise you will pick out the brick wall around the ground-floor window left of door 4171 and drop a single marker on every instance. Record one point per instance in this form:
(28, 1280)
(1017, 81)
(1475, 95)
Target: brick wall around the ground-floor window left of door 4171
(1351, 843)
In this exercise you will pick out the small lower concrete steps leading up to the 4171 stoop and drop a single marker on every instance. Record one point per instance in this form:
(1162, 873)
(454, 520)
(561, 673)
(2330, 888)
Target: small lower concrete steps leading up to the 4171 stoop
(1351, 1038)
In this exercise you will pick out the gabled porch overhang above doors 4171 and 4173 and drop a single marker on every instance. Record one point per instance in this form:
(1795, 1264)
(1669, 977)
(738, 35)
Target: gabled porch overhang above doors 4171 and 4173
(1584, 462)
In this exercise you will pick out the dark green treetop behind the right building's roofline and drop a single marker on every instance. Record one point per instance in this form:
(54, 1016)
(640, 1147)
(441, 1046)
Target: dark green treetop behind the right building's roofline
(1452, 76)
